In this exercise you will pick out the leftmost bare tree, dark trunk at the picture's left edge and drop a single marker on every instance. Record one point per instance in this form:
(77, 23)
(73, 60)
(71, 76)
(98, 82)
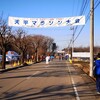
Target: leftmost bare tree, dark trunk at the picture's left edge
(5, 40)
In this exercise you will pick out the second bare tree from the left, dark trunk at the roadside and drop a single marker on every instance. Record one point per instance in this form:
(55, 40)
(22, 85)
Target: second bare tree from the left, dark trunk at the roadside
(21, 41)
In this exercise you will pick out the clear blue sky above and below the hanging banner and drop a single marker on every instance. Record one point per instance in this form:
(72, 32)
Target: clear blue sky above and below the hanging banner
(54, 9)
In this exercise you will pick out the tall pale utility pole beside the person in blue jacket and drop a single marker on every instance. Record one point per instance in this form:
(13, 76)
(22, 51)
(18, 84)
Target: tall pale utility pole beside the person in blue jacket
(91, 36)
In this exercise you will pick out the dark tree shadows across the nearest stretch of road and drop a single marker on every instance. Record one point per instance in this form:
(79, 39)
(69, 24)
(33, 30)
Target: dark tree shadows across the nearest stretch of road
(46, 93)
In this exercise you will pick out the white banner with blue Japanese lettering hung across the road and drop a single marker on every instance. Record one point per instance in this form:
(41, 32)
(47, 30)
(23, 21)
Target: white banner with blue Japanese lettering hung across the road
(46, 22)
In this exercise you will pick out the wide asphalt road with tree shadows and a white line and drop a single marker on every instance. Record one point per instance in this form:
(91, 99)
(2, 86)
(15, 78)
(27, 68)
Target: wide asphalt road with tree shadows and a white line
(58, 80)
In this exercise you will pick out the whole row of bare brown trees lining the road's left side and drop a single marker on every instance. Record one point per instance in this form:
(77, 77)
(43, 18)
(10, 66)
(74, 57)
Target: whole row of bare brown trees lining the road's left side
(22, 43)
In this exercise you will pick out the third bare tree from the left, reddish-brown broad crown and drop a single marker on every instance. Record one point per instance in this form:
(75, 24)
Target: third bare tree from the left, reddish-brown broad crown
(40, 44)
